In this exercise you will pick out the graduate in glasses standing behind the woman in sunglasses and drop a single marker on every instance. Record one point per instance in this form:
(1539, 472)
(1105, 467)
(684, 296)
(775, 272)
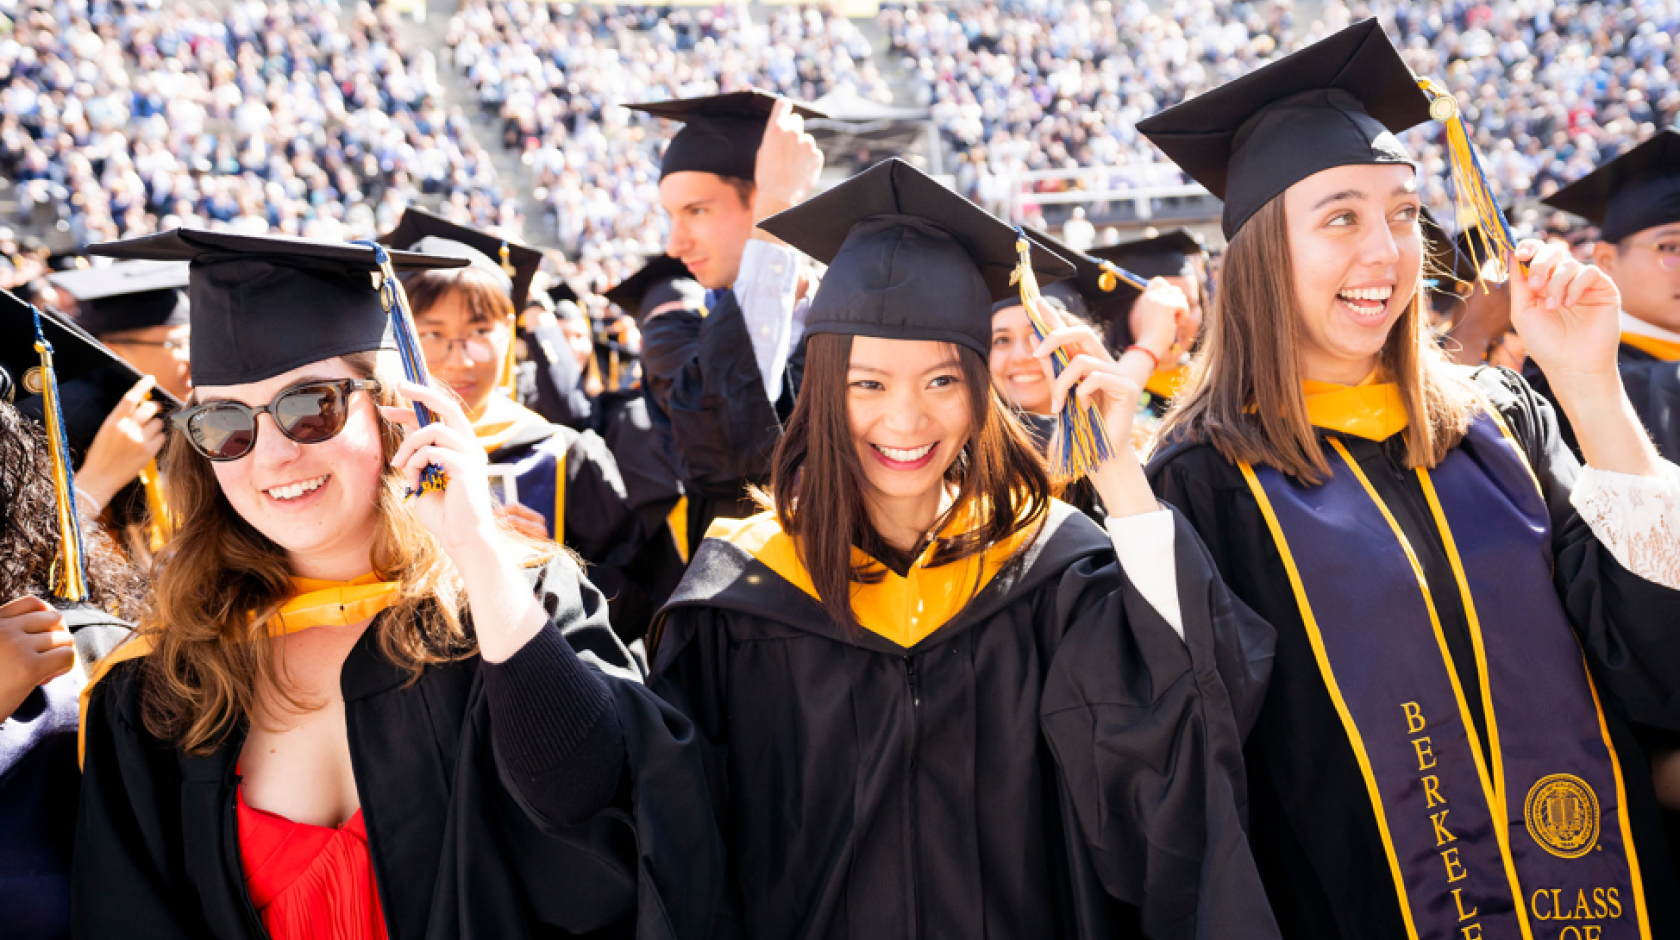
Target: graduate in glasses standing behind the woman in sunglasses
(565, 483)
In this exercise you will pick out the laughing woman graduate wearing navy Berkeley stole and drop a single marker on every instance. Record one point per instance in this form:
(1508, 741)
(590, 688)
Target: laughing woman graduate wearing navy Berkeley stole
(1467, 619)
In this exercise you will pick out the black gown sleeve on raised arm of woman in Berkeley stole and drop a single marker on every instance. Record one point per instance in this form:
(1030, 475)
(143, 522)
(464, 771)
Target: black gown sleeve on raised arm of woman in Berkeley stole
(1625, 622)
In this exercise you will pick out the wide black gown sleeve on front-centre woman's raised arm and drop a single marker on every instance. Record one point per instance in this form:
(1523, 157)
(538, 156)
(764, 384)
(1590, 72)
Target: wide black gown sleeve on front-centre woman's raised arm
(1148, 741)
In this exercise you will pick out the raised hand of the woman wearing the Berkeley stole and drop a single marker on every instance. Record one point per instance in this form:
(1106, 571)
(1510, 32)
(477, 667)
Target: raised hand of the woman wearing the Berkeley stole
(1567, 313)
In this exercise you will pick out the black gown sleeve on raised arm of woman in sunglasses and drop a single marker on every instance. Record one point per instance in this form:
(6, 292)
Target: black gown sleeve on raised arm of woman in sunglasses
(634, 771)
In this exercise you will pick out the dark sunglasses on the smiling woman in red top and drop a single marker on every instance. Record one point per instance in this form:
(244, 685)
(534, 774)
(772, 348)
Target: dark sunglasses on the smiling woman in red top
(308, 412)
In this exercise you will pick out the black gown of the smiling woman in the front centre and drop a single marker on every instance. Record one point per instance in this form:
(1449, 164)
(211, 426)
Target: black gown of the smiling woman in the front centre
(1051, 763)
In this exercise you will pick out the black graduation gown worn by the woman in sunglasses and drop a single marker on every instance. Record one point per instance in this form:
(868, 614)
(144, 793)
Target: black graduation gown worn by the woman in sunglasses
(458, 842)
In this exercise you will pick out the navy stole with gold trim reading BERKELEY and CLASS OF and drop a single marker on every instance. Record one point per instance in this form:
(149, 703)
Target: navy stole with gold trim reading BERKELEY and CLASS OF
(1538, 843)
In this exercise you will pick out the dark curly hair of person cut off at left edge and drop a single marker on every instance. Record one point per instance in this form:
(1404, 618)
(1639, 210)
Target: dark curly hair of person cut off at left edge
(29, 528)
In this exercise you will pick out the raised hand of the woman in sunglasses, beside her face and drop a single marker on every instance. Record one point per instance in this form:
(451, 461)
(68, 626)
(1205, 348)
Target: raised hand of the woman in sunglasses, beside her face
(465, 514)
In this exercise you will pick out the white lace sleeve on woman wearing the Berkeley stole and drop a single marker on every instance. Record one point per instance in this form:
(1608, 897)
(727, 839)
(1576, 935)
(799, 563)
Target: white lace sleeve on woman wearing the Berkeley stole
(1637, 520)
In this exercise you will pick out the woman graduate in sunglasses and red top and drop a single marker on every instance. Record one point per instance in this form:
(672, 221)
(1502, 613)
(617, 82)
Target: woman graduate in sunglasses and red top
(357, 713)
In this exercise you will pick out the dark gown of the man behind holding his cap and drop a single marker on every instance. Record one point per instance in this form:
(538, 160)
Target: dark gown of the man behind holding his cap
(701, 375)
